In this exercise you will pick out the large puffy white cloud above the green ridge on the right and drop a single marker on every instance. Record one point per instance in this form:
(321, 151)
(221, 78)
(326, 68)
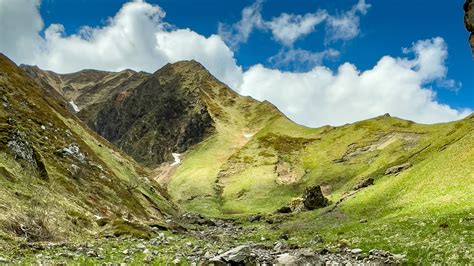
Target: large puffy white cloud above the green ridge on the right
(395, 85)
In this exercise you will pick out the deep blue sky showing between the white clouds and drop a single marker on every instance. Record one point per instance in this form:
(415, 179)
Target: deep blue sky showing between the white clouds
(389, 26)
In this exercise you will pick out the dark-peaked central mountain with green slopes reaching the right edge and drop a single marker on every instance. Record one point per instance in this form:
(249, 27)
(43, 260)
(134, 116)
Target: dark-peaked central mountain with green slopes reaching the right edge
(380, 183)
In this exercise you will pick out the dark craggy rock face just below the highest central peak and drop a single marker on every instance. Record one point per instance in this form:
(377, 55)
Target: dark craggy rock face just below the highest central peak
(165, 114)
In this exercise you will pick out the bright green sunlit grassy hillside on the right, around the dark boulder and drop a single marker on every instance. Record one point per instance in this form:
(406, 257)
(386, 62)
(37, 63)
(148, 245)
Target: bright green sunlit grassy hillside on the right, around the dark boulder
(424, 212)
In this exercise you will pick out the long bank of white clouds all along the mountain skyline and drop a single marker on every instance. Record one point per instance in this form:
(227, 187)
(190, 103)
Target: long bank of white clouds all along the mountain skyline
(137, 37)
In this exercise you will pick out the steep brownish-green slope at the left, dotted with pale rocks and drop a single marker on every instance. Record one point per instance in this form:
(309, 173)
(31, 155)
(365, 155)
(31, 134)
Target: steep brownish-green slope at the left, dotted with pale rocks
(57, 177)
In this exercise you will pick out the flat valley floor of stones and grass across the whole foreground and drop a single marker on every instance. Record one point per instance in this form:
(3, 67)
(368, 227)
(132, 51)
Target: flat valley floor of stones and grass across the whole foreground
(285, 239)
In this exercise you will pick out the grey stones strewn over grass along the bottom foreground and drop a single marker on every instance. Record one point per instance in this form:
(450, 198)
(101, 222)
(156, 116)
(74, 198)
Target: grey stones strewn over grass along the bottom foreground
(207, 242)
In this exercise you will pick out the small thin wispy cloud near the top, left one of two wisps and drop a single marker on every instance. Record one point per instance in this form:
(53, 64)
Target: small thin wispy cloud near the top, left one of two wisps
(287, 28)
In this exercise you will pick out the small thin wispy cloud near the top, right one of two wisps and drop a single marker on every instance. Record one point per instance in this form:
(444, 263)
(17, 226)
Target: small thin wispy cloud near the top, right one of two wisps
(347, 25)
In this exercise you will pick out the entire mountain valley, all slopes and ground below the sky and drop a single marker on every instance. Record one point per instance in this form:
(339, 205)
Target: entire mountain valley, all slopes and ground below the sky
(175, 167)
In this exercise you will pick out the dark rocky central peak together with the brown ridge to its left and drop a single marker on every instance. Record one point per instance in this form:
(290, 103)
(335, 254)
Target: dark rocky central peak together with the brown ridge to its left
(150, 116)
